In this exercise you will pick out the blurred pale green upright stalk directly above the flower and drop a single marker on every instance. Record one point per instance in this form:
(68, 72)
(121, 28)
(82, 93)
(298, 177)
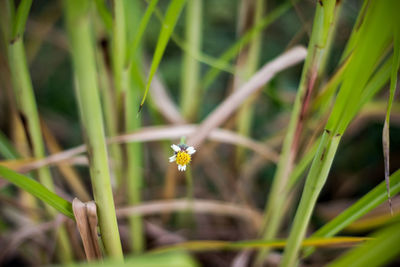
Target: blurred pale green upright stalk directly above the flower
(190, 94)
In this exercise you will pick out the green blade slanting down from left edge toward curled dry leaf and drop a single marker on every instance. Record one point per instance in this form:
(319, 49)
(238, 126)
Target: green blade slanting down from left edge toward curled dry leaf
(38, 190)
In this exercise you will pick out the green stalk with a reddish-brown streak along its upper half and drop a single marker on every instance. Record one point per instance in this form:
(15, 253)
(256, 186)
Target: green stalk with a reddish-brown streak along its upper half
(316, 49)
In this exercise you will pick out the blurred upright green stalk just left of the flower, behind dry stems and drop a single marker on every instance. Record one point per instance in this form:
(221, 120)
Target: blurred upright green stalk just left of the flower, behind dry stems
(131, 85)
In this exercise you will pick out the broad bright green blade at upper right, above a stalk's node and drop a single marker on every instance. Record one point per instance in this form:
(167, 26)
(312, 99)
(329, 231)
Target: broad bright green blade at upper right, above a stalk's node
(365, 59)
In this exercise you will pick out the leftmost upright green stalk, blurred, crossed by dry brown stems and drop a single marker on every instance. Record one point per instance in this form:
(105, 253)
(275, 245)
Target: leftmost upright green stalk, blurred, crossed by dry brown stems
(26, 103)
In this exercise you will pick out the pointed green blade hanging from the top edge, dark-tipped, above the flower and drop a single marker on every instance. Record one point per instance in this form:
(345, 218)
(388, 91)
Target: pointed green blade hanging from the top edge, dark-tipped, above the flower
(171, 18)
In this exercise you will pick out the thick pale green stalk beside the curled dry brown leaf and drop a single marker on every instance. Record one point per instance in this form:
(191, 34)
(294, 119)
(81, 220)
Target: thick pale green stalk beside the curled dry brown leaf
(80, 33)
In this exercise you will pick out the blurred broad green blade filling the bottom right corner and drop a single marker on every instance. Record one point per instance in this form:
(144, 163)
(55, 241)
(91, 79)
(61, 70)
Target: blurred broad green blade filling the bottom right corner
(377, 252)
